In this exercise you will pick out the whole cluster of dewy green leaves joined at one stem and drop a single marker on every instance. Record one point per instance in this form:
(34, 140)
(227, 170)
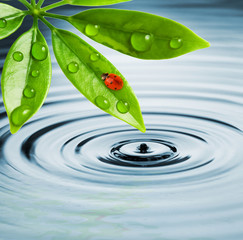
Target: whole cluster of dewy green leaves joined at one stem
(26, 73)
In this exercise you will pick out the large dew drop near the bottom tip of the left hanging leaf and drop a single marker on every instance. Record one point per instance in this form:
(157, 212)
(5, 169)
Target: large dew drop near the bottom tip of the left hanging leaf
(20, 115)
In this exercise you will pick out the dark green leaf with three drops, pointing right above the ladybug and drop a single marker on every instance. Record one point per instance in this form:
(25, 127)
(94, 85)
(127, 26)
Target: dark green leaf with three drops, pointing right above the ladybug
(141, 35)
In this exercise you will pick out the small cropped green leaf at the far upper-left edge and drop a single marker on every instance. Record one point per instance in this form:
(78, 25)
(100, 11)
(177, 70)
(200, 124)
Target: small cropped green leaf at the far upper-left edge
(10, 19)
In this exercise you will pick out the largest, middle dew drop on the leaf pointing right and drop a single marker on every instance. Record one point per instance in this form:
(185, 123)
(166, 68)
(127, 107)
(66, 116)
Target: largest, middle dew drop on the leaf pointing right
(141, 42)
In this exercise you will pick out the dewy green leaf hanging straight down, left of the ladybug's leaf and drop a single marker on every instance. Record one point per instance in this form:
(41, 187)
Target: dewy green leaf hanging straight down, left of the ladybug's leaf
(26, 78)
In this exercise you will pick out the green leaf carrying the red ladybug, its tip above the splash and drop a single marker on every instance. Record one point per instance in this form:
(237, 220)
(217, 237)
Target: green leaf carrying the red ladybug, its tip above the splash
(83, 66)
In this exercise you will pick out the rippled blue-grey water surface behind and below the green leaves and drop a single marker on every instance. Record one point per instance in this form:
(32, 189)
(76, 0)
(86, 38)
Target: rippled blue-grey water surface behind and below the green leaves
(74, 172)
